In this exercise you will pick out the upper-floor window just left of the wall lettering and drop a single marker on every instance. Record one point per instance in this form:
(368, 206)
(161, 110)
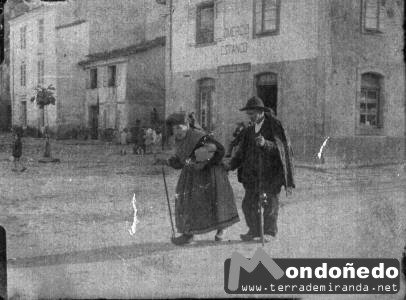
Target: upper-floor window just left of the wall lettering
(205, 23)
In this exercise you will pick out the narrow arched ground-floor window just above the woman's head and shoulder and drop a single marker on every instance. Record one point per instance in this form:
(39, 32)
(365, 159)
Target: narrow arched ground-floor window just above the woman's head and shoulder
(205, 99)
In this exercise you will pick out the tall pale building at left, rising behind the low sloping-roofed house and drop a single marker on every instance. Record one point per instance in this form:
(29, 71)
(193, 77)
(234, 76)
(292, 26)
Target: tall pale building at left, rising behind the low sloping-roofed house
(48, 43)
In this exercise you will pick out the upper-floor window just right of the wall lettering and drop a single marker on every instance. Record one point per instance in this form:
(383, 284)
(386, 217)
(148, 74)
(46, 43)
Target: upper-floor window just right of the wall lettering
(266, 16)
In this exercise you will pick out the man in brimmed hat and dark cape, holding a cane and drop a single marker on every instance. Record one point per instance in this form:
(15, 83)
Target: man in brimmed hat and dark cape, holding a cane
(266, 159)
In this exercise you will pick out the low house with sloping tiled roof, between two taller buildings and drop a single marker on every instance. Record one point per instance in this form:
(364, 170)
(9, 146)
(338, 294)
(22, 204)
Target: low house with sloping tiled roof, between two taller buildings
(125, 85)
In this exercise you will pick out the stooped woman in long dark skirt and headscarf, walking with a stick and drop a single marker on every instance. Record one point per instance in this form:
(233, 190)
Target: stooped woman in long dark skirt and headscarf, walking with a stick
(204, 197)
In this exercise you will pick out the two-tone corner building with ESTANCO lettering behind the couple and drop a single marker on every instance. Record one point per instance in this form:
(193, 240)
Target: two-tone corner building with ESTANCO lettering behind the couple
(327, 68)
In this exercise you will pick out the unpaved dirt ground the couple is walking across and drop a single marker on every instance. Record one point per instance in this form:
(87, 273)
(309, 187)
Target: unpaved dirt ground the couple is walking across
(67, 225)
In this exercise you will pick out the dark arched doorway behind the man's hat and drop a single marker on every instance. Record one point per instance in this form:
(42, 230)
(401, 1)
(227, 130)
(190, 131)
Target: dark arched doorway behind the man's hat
(267, 90)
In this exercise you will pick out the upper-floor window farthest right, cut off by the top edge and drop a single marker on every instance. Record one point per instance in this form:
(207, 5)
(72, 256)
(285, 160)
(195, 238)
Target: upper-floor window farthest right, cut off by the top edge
(372, 15)
